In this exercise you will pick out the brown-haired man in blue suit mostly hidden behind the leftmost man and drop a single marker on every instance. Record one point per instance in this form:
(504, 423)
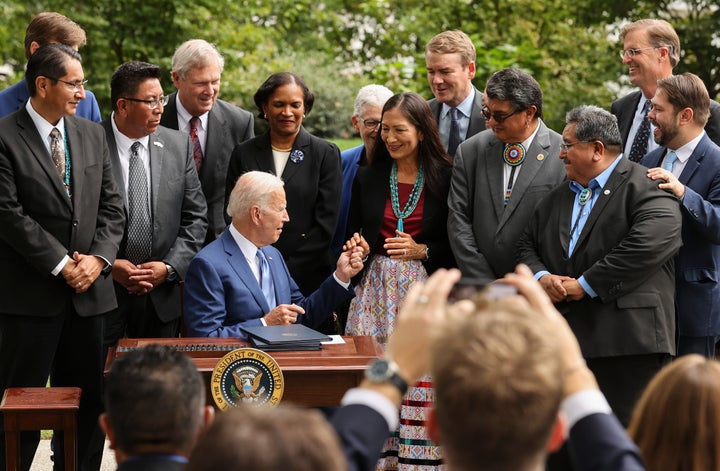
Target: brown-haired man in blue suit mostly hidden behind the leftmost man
(48, 28)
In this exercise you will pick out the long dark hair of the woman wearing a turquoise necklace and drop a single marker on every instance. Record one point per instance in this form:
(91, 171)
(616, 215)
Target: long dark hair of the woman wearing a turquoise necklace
(431, 152)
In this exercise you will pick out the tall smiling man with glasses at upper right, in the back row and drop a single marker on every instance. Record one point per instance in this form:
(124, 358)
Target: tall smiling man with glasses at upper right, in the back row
(651, 48)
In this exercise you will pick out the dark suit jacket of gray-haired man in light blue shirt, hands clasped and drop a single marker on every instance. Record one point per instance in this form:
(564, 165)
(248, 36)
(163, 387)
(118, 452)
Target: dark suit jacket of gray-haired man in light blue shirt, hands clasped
(626, 253)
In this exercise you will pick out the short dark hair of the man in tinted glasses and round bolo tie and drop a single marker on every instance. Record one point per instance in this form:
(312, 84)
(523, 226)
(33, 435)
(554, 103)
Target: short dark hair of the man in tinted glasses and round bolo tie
(517, 87)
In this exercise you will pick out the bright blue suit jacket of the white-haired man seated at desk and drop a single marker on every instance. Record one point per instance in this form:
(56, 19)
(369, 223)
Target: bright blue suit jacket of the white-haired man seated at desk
(222, 294)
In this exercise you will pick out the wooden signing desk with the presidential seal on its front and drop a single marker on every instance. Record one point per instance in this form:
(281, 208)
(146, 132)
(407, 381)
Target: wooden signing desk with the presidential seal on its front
(312, 378)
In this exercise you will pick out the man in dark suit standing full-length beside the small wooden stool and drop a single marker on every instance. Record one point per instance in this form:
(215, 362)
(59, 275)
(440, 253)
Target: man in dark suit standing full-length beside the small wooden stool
(62, 221)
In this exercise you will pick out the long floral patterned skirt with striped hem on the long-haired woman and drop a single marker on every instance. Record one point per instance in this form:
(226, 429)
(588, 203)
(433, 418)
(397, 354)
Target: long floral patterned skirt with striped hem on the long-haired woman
(372, 312)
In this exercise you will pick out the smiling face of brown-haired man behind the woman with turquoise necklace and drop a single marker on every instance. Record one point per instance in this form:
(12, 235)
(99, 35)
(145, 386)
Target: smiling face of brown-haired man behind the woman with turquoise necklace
(449, 80)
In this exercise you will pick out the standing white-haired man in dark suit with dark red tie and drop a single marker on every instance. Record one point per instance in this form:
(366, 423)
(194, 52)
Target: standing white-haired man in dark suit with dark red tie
(197, 67)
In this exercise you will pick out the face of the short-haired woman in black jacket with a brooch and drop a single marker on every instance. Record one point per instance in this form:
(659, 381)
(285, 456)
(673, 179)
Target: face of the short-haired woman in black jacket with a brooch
(284, 110)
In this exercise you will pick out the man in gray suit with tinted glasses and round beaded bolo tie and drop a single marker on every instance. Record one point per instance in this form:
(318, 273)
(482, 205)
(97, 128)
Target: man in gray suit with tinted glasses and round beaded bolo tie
(500, 175)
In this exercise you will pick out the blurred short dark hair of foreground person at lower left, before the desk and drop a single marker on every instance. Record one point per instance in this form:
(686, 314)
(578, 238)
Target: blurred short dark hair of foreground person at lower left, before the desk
(154, 397)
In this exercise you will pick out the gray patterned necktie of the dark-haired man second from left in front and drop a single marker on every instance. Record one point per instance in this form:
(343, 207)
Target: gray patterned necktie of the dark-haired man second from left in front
(139, 225)
